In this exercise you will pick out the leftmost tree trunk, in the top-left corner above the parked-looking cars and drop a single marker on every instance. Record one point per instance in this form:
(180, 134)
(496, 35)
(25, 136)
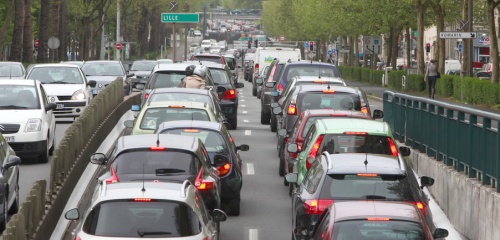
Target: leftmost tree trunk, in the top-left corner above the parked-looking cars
(16, 54)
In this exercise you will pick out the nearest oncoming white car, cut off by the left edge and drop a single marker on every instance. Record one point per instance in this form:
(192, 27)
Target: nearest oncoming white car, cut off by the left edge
(27, 120)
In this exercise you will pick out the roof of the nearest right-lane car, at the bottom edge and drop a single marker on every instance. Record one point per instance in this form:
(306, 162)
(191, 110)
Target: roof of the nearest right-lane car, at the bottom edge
(349, 210)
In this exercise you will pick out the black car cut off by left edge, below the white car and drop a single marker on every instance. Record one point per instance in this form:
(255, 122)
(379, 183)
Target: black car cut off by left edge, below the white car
(9, 180)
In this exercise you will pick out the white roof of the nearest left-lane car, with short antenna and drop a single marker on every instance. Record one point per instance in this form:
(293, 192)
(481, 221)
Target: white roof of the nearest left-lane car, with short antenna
(156, 190)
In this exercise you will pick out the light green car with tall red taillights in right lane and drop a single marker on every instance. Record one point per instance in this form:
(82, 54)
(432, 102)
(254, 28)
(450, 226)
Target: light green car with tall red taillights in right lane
(344, 135)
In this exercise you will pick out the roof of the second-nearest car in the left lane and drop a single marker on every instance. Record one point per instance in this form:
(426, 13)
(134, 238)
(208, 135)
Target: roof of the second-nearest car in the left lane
(148, 140)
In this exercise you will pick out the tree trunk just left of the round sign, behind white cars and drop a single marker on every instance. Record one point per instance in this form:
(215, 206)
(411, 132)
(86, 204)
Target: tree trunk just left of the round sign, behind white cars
(43, 31)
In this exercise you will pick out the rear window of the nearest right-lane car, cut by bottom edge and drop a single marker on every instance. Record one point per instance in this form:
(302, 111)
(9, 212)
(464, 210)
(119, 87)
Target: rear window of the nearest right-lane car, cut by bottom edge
(378, 229)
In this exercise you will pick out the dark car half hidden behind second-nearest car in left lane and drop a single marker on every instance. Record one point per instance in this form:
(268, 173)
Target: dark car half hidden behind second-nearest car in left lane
(223, 153)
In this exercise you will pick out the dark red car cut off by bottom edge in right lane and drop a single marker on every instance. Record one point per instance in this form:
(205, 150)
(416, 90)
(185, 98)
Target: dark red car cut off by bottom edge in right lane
(374, 220)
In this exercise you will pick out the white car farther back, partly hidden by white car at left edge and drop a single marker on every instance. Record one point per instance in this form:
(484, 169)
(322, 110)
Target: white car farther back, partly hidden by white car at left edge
(66, 86)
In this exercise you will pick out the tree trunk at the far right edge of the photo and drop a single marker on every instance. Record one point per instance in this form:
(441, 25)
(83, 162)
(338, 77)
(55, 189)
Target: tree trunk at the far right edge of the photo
(493, 40)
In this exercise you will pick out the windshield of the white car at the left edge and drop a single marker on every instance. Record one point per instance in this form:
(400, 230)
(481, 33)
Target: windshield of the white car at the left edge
(18, 97)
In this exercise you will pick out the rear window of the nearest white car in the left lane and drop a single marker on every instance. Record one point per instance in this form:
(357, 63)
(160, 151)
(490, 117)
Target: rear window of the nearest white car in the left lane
(135, 219)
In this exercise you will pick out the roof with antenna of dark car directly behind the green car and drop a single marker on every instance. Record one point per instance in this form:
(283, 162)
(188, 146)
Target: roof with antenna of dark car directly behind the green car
(353, 163)
